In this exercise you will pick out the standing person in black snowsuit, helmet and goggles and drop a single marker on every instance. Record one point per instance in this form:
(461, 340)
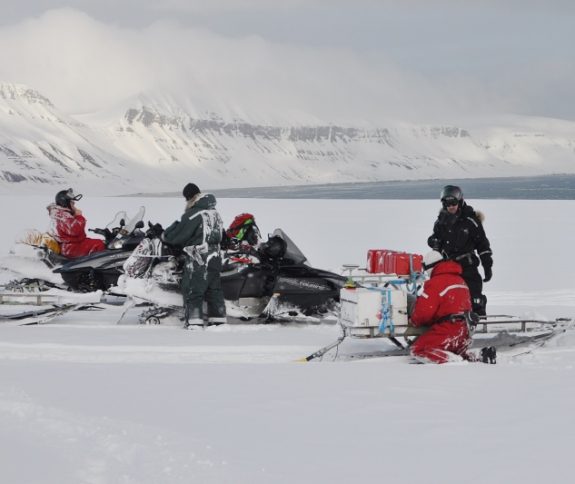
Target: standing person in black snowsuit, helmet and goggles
(459, 235)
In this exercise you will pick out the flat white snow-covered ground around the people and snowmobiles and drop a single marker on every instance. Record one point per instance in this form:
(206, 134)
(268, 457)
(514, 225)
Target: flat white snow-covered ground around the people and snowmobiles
(85, 400)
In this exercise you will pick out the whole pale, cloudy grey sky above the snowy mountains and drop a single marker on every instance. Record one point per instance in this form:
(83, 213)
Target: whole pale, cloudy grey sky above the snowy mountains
(327, 60)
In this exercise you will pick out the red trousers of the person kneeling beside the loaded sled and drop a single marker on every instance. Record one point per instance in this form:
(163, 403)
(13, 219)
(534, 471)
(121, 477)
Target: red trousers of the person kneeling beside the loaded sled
(441, 342)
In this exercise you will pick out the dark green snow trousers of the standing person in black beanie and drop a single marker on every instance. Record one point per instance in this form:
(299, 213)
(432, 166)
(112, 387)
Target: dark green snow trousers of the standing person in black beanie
(201, 282)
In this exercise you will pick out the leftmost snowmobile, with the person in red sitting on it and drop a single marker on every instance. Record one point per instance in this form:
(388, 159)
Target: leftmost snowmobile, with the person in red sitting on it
(42, 267)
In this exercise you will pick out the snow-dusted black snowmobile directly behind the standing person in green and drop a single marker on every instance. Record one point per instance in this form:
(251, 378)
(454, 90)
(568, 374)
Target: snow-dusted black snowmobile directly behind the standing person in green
(269, 282)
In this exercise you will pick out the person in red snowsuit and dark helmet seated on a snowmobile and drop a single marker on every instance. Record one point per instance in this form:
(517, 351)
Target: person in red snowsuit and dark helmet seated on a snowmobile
(69, 226)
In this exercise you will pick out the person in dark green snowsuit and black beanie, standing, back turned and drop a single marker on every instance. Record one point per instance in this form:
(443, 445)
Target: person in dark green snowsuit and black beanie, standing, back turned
(199, 233)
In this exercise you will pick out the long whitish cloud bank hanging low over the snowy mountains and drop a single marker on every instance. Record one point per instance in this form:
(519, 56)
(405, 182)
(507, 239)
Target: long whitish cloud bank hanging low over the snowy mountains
(85, 65)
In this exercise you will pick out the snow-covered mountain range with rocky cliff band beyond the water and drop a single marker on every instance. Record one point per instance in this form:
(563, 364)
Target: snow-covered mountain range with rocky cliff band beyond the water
(151, 145)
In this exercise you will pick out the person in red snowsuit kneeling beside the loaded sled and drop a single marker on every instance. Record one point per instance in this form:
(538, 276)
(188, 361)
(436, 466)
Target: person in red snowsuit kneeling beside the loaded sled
(442, 306)
